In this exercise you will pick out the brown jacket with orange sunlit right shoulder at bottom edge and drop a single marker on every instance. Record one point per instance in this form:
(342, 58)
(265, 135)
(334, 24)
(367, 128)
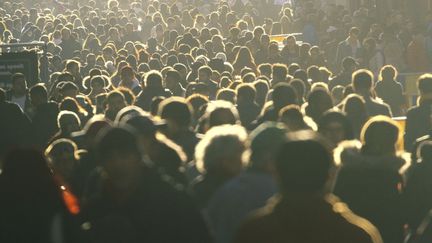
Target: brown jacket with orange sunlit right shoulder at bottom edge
(307, 220)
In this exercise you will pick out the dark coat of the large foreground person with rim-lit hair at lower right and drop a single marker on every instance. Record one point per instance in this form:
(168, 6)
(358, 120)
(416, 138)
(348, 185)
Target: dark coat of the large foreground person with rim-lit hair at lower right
(371, 186)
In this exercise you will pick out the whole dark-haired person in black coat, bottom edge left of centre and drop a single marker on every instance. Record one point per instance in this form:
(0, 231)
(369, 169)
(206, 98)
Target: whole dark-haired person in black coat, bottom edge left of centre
(139, 198)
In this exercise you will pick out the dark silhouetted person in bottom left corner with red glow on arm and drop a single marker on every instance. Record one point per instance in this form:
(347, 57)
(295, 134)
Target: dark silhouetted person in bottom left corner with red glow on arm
(32, 206)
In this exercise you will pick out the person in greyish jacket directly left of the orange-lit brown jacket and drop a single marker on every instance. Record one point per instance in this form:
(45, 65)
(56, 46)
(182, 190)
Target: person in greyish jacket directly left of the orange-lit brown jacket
(231, 204)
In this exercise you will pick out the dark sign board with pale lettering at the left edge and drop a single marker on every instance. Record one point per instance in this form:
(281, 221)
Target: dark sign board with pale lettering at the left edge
(19, 62)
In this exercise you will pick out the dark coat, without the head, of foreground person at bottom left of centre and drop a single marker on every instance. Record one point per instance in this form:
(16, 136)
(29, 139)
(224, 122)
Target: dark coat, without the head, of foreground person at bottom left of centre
(157, 211)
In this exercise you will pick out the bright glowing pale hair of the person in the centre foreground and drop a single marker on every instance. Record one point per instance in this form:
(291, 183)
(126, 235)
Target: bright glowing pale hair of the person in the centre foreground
(219, 143)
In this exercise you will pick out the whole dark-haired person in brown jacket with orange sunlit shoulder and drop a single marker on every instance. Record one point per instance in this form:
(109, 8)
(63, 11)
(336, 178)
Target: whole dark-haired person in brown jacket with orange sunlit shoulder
(304, 213)
